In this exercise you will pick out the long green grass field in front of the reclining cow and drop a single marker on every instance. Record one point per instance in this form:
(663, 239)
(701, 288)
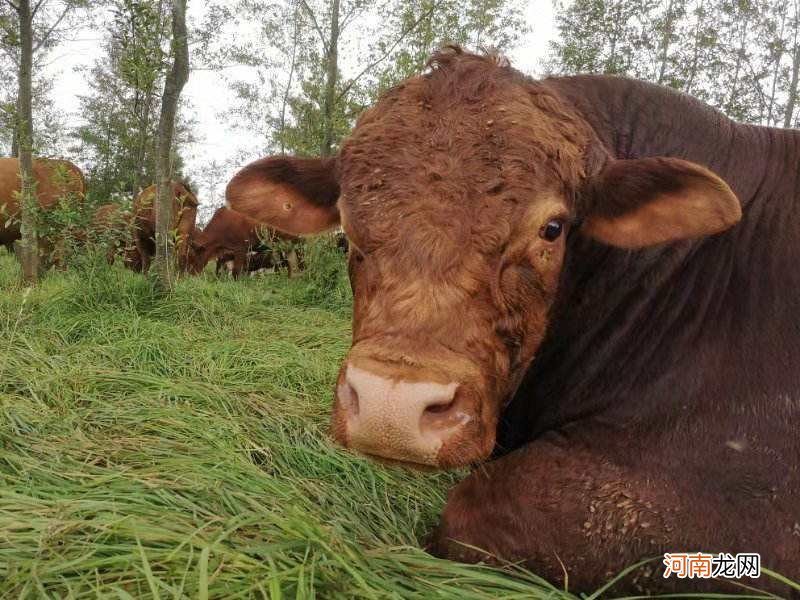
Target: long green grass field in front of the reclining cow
(178, 448)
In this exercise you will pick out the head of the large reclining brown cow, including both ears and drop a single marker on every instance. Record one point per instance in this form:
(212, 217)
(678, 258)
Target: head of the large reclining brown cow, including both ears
(456, 192)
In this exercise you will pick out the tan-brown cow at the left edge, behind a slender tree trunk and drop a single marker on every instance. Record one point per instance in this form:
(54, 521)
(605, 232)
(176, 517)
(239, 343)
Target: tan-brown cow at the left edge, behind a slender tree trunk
(54, 180)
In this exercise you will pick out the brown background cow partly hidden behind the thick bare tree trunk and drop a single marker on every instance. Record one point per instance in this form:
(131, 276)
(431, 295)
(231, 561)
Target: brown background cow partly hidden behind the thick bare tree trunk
(184, 215)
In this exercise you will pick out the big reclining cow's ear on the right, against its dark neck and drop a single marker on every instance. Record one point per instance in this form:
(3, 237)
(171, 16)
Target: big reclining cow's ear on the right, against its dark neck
(648, 201)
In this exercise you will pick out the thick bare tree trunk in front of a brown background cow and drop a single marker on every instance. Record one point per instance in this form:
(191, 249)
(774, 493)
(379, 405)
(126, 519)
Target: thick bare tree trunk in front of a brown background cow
(176, 79)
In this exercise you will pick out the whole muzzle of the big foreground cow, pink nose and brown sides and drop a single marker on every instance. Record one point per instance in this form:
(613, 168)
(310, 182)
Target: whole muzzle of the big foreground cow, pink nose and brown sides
(411, 420)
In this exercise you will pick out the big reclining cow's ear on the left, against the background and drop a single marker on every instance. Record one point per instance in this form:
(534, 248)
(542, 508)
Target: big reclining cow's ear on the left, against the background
(294, 195)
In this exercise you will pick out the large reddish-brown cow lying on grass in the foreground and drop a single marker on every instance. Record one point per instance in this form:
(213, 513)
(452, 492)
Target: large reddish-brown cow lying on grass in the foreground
(556, 271)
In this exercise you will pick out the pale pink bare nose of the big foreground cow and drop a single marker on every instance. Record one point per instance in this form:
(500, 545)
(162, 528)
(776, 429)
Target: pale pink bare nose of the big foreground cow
(400, 420)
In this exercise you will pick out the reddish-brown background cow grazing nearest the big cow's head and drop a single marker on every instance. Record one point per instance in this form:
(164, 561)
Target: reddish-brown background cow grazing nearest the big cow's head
(231, 235)
